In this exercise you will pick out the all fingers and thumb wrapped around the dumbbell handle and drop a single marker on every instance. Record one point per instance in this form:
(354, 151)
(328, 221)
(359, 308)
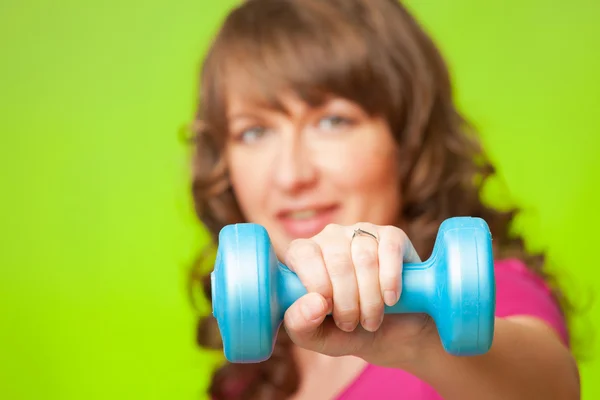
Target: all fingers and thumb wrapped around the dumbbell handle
(352, 277)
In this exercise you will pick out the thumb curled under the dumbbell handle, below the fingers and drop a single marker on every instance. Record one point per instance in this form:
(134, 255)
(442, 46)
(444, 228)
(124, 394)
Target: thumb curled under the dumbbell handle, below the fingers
(303, 320)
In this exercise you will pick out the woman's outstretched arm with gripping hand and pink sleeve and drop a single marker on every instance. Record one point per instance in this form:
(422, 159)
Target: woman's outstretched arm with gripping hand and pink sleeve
(529, 358)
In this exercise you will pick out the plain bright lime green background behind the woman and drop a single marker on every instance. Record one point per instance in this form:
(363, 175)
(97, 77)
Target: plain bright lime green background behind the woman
(97, 229)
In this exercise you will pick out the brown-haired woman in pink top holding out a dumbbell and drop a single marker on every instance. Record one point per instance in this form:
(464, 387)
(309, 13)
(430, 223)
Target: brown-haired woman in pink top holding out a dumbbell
(318, 117)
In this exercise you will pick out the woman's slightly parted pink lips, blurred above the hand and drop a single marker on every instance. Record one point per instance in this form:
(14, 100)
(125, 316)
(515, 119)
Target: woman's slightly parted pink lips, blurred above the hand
(307, 222)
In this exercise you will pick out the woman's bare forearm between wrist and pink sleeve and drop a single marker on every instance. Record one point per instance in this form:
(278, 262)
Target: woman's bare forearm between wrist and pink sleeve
(527, 361)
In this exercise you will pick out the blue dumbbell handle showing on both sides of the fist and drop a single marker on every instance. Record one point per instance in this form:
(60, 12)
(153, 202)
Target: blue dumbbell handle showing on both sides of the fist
(417, 292)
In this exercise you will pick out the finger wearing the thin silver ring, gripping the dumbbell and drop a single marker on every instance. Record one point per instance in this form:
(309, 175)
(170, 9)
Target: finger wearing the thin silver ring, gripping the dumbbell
(364, 250)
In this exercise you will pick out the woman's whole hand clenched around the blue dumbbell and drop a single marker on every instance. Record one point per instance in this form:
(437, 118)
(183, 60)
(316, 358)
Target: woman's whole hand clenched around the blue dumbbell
(352, 279)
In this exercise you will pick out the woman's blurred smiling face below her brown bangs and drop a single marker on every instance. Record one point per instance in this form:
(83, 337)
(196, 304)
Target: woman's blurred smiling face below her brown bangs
(296, 171)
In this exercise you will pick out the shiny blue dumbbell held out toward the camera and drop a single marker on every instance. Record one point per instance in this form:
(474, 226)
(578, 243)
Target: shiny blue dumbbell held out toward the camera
(251, 289)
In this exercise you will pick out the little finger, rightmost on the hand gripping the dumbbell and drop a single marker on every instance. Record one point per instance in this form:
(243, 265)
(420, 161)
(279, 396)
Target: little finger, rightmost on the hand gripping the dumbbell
(394, 249)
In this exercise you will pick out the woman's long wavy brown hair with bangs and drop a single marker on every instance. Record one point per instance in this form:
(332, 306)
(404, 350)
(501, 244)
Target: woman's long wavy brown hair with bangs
(374, 53)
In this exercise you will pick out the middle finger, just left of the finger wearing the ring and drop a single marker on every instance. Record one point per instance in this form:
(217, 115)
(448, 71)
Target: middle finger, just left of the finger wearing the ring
(338, 260)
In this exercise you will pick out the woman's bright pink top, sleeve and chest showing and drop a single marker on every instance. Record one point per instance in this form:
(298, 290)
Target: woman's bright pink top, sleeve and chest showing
(518, 291)
